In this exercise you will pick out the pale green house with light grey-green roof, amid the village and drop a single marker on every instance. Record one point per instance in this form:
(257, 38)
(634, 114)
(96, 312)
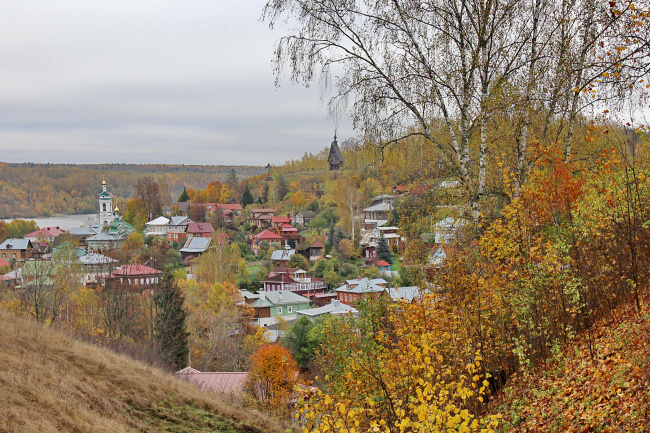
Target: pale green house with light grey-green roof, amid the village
(269, 306)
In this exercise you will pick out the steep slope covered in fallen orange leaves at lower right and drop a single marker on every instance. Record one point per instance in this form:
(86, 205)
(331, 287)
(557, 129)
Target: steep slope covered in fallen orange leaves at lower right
(599, 383)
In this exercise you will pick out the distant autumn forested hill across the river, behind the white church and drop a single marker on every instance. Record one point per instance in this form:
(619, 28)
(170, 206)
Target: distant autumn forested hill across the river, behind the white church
(32, 190)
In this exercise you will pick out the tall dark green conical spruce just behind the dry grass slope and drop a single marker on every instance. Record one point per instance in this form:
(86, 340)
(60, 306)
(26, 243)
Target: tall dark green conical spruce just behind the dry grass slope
(169, 328)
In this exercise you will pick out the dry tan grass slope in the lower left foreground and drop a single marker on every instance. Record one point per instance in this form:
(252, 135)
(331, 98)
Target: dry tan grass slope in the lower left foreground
(50, 382)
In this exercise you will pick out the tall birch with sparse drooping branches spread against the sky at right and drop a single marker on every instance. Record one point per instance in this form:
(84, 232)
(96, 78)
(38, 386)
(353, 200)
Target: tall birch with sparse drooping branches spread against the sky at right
(442, 69)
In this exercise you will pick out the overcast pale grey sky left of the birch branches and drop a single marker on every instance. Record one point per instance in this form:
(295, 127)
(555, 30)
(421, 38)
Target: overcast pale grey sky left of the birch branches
(150, 81)
